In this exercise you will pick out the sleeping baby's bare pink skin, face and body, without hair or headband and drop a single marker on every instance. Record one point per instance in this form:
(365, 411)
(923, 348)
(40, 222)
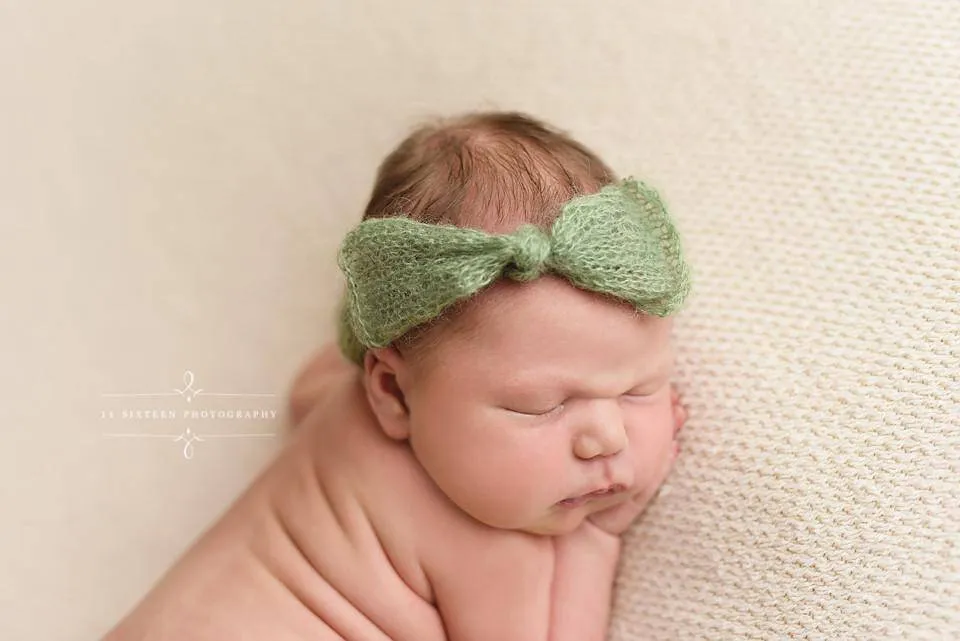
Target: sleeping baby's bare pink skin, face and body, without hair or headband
(444, 500)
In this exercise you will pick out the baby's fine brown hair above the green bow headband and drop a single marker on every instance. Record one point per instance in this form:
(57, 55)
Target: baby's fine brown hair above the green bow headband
(485, 170)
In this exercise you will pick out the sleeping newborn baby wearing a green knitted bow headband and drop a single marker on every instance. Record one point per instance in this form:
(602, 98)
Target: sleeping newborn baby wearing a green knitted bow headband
(497, 412)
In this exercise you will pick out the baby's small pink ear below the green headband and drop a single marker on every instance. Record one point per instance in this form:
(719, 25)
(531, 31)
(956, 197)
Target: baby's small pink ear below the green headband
(384, 371)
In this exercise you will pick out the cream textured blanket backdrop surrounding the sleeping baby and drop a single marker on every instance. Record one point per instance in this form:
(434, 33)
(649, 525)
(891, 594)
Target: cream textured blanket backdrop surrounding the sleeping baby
(175, 176)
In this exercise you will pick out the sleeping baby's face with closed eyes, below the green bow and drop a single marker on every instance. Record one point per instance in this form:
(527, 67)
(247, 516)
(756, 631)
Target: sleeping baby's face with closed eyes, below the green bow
(556, 393)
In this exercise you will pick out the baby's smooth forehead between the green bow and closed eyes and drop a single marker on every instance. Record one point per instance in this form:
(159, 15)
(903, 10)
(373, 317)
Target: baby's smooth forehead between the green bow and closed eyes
(548, 328)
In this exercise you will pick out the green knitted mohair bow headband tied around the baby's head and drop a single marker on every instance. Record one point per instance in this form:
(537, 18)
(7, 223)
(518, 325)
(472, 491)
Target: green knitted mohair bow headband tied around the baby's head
(402, 273)
